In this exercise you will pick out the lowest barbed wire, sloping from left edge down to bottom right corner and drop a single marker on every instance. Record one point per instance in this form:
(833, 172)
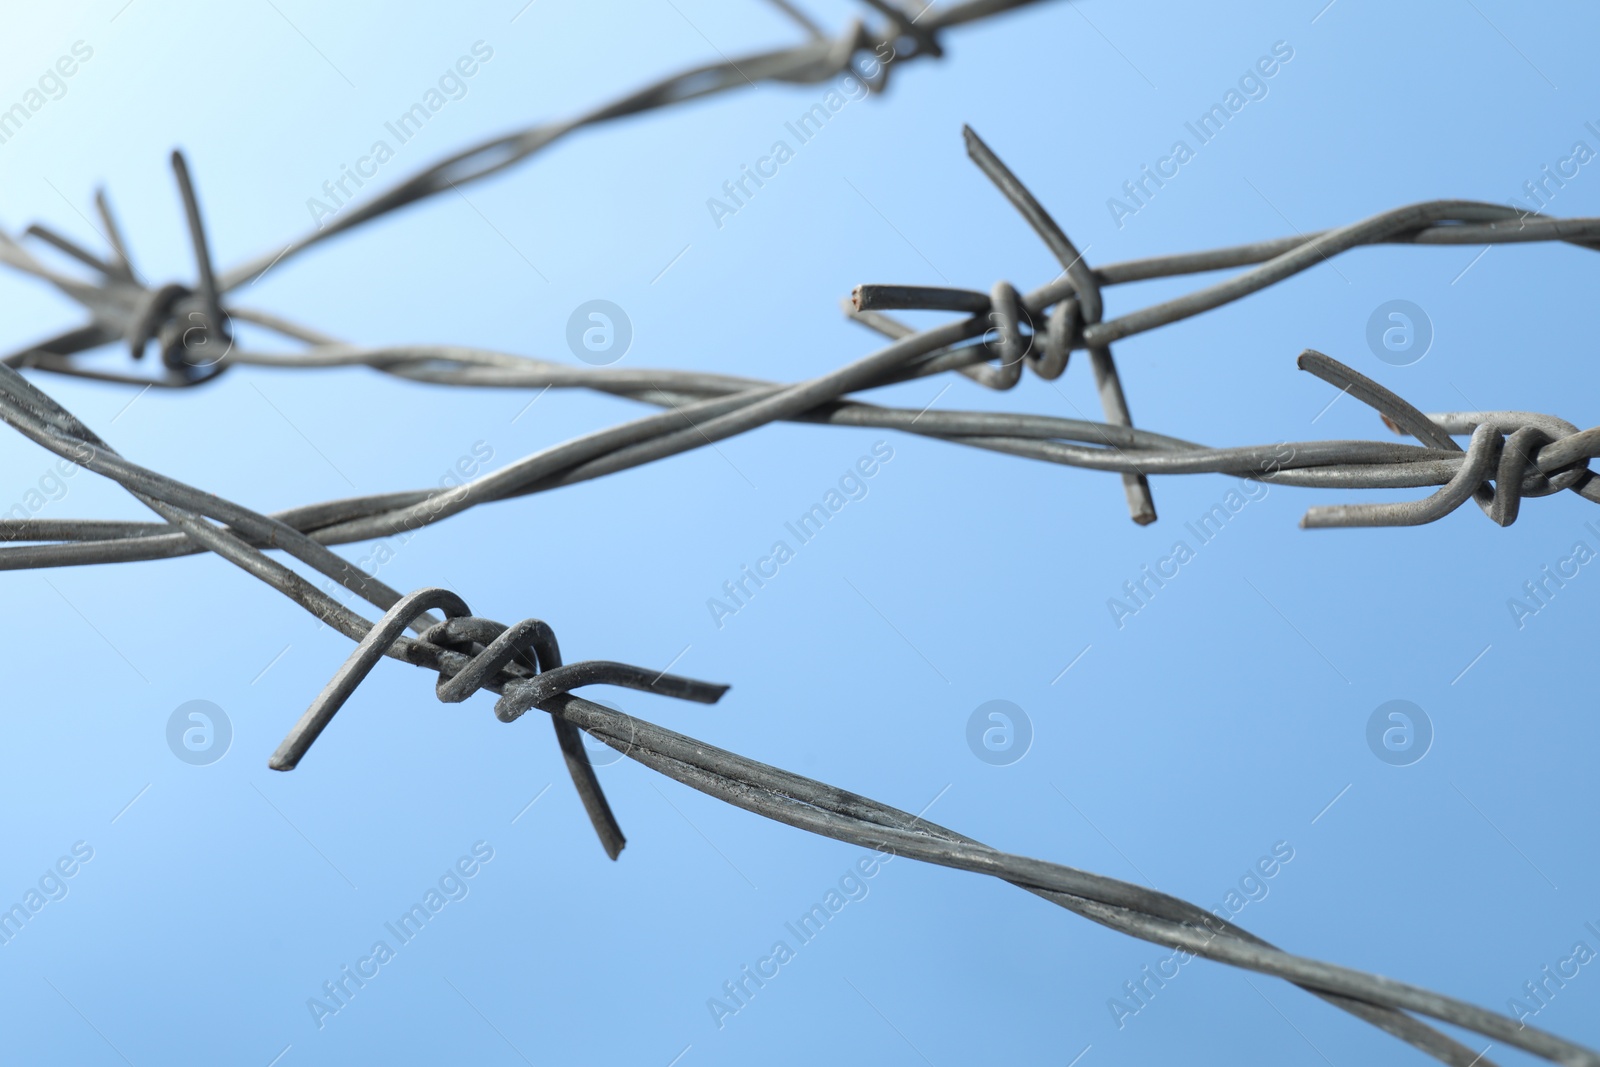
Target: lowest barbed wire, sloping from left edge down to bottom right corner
(492, 663)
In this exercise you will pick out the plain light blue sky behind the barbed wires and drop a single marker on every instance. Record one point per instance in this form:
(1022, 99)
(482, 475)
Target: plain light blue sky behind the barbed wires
(1218, 722)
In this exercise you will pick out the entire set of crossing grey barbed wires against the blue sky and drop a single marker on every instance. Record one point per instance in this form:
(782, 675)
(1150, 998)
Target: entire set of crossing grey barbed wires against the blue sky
(1511, 455)
